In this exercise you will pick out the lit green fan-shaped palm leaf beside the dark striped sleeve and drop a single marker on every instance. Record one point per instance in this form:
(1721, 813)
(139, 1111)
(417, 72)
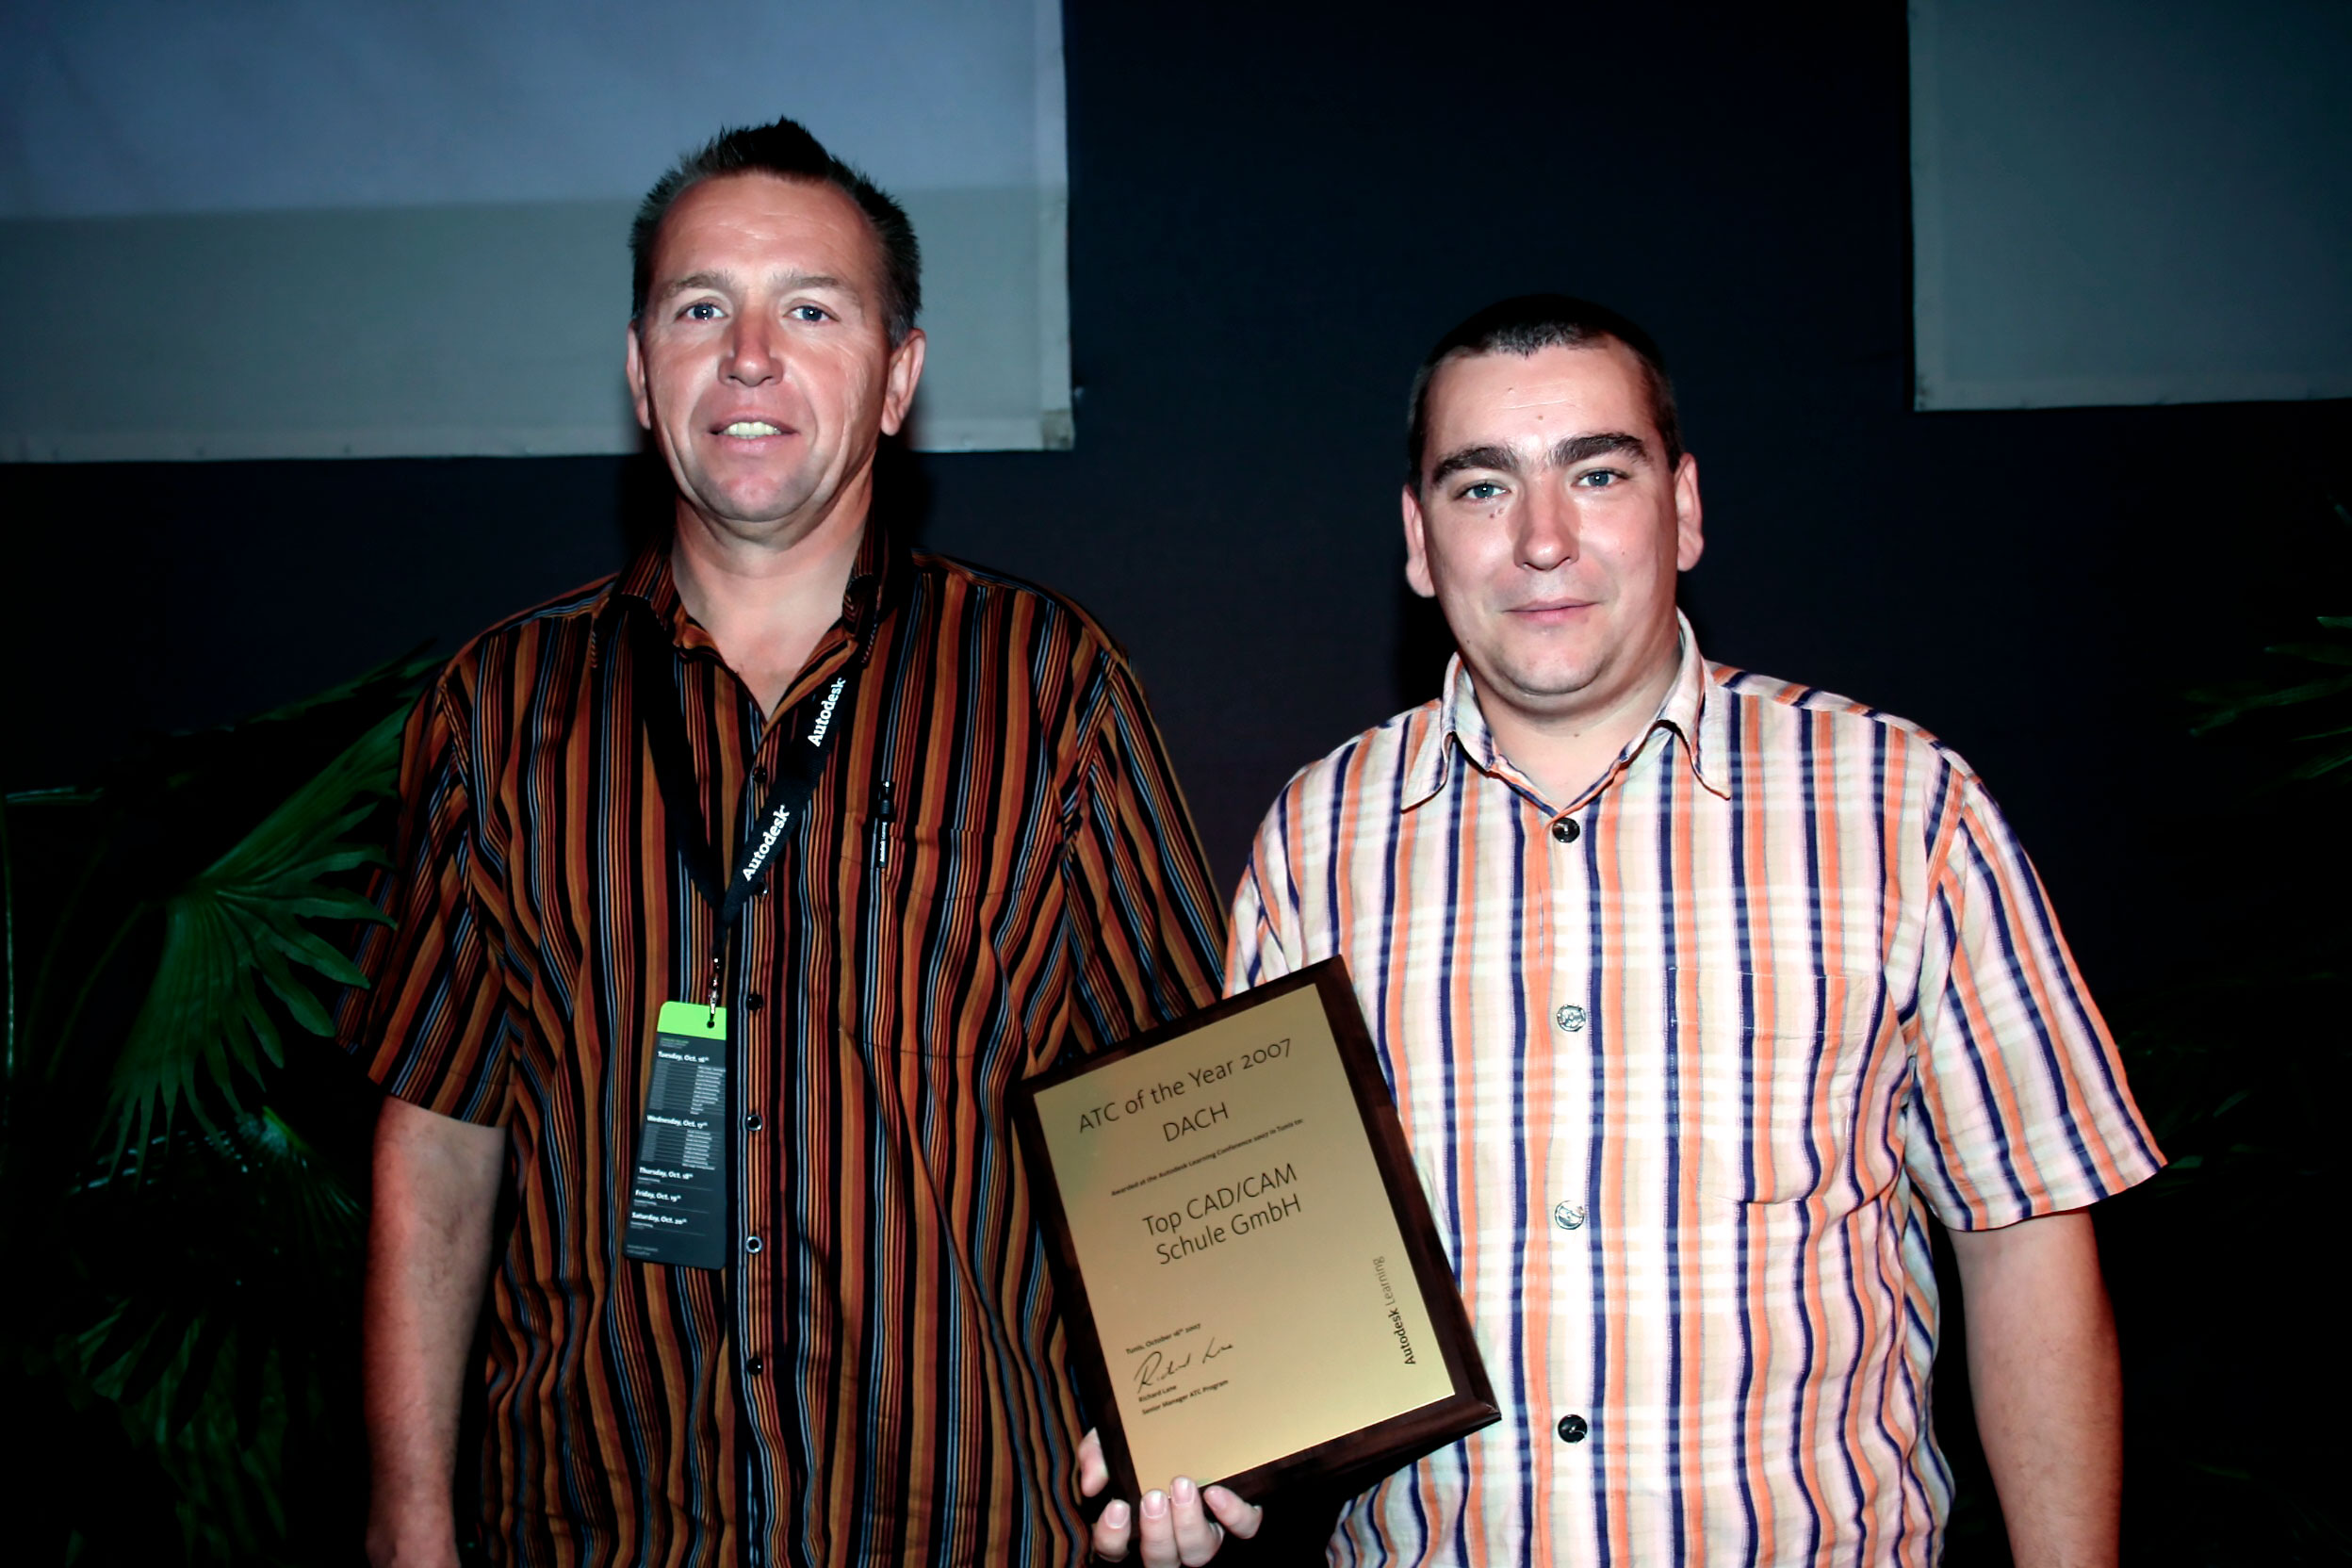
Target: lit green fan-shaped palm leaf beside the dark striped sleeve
(239, 930)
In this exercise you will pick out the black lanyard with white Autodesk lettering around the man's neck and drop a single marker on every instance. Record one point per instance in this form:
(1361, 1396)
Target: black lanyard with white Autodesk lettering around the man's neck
(813, 728)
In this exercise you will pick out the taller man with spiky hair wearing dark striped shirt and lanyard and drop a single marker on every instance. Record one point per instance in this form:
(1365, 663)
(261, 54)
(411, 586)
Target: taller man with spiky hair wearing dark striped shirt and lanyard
(730, 899)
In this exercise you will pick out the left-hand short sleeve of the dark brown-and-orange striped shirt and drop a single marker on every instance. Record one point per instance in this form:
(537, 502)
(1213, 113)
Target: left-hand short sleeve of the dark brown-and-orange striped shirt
(434, 1024)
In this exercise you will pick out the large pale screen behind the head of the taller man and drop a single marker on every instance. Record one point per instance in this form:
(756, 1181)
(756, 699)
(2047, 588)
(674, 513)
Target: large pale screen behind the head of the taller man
(312, 229)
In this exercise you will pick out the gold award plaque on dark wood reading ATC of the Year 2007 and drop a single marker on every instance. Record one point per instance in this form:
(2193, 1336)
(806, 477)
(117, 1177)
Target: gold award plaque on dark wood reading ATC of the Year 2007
(1248, 1266)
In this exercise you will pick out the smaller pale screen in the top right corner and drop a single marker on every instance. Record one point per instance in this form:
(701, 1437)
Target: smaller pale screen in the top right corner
(2132, 201)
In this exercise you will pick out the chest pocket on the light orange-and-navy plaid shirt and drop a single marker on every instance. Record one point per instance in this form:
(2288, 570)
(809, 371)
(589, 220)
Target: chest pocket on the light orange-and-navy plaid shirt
(1775, 1078)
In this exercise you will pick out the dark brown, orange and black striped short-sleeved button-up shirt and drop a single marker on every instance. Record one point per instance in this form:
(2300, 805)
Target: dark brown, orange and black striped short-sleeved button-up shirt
(878, 1374)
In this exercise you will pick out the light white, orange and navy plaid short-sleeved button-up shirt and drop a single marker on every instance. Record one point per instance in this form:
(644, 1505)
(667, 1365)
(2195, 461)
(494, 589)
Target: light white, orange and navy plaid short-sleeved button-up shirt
(1688, 1064)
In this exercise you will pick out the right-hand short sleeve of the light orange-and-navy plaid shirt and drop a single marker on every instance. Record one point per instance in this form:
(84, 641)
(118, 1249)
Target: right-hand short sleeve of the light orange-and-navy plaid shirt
(2019, 1106)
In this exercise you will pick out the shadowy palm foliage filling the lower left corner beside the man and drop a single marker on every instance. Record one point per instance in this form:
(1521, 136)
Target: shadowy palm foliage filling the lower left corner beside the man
(187, 1346)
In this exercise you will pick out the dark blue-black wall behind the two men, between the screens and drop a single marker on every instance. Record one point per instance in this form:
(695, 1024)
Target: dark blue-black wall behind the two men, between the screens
(1274, 213)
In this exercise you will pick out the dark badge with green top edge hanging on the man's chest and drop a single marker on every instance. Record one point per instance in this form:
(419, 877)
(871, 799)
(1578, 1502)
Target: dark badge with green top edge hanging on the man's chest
(679, 1200)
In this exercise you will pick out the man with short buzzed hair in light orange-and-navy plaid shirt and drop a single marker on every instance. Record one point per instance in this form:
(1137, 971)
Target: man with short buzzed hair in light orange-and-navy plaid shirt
(1702, 996)
